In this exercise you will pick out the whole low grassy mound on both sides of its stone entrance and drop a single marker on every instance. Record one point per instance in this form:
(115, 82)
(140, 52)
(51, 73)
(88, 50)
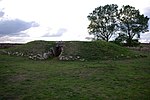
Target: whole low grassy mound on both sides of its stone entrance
(73, 50)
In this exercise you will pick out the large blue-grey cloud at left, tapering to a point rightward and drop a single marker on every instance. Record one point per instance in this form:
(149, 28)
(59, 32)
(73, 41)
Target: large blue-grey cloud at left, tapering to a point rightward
(15, 26)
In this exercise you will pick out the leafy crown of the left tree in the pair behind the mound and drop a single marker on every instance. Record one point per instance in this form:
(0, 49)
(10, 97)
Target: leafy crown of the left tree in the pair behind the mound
(103, 22)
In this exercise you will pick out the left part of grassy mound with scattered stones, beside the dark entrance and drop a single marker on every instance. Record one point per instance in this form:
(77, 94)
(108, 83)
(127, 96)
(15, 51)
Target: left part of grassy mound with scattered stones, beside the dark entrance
(35, 50)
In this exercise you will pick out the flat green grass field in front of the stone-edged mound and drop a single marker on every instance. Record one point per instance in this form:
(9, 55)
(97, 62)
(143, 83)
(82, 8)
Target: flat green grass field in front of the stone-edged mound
(24, 79)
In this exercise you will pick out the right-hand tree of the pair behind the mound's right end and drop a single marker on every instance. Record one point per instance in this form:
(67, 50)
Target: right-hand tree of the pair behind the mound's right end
(132, 23)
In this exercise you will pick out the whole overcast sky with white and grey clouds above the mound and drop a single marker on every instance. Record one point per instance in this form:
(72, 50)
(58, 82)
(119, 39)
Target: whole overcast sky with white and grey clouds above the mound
(27, 20)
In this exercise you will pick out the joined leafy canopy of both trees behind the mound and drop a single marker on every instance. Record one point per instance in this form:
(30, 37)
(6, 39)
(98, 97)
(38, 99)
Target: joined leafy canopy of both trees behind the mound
(105, 21)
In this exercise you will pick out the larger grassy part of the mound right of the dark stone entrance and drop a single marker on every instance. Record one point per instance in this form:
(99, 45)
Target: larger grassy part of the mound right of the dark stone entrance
(96, 50)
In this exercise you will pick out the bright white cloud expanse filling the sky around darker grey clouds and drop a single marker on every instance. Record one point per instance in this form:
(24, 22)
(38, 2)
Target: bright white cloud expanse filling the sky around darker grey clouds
(56, 14)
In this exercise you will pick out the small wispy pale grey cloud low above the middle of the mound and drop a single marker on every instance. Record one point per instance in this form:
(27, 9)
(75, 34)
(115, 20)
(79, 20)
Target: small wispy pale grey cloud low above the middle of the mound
(57, 34)
